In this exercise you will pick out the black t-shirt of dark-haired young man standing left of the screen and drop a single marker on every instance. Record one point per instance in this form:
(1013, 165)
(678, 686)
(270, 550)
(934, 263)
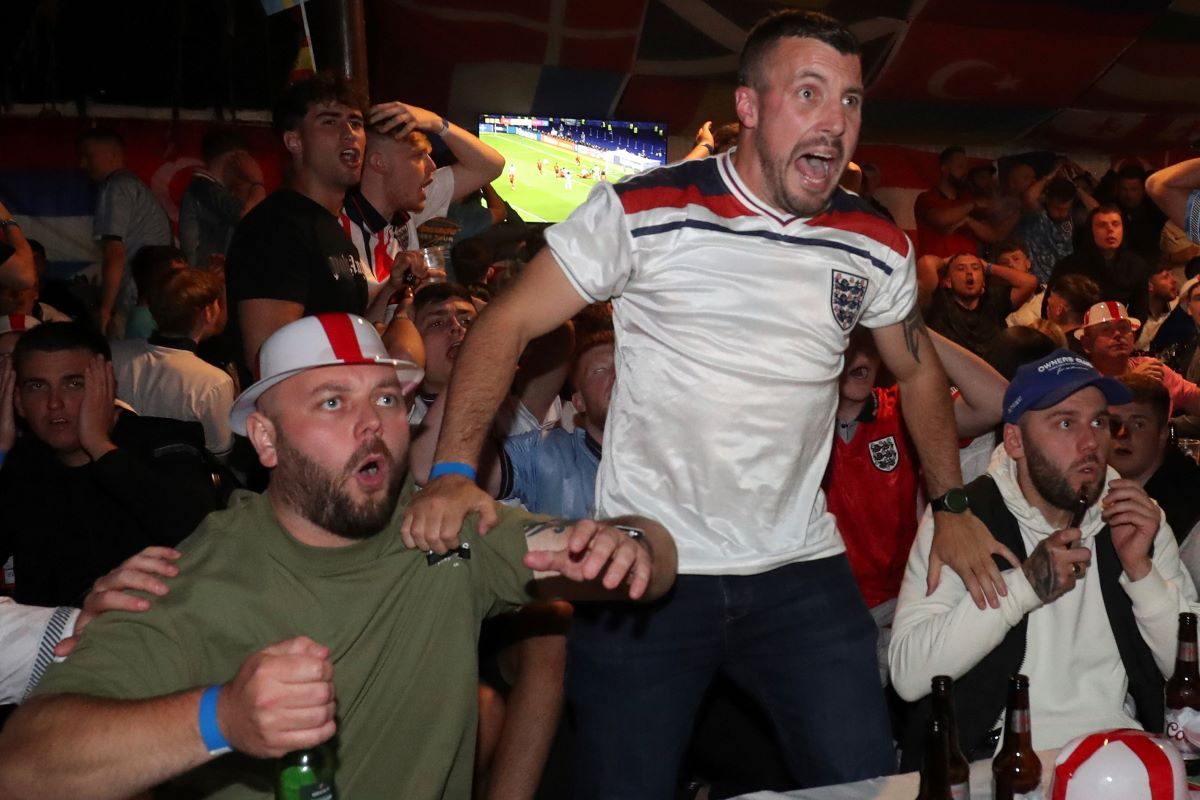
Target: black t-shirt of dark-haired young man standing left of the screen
(290, 248)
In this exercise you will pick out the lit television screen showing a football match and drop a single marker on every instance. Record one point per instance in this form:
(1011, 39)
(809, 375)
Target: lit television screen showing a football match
(551, 163)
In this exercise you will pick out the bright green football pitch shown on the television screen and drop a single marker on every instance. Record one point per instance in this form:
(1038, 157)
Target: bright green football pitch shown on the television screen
(541, 197)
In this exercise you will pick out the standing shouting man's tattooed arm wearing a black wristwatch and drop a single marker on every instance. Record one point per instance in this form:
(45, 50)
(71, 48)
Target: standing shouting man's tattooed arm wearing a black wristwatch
(961, 539)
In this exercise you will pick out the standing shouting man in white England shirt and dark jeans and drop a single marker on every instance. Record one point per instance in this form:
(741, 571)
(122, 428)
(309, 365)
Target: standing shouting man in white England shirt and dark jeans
(736, 281)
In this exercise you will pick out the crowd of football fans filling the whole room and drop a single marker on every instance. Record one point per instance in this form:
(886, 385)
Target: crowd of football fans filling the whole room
(303, 347)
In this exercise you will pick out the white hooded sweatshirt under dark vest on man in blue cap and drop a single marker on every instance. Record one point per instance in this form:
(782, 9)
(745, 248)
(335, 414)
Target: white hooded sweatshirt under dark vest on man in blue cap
(1078, 683)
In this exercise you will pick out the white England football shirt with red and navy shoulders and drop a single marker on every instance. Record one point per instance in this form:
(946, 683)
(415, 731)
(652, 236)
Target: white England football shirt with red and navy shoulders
(731, 324)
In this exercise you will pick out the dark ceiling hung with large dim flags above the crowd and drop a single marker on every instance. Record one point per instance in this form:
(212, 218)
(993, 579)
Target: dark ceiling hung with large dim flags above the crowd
(1072, 75)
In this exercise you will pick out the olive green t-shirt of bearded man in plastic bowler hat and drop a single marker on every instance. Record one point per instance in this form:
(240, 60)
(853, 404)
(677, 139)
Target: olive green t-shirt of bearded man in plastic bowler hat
(403, 637)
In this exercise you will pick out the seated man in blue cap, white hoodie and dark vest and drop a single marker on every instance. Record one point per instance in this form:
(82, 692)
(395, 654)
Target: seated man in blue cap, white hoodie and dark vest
(1091, 616)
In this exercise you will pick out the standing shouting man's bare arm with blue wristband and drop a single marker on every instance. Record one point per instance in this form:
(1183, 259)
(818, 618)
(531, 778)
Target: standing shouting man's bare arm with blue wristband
(542, 300)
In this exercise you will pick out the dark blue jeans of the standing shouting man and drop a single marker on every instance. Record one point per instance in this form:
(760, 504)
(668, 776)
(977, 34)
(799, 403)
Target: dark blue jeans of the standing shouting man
(799, 640)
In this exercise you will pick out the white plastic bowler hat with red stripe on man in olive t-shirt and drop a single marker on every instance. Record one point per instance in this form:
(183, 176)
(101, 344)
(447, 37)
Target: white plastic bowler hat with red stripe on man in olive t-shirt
(321, 341)
